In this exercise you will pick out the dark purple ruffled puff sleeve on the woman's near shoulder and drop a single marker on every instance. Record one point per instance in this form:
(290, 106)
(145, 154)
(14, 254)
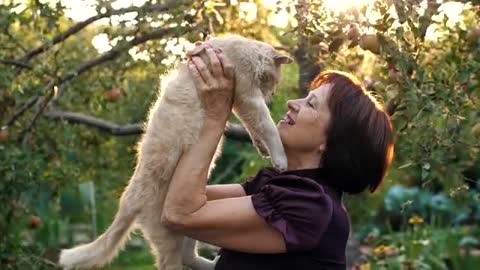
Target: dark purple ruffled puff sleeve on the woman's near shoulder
(297, 207)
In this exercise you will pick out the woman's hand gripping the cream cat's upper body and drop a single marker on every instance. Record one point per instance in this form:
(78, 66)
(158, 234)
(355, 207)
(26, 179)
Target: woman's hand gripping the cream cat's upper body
(215, 86)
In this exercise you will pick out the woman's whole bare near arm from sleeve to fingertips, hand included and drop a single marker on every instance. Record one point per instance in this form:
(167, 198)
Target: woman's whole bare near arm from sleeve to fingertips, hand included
(230, 223)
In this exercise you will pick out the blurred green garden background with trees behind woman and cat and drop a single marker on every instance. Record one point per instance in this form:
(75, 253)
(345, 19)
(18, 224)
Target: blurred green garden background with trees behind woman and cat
(77, 79)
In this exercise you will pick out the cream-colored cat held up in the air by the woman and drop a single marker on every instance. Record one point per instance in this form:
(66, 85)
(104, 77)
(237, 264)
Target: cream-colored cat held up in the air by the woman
(173, 125)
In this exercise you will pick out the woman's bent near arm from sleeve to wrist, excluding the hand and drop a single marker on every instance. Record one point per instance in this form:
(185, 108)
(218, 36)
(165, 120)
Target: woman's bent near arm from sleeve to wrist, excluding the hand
(230, 223)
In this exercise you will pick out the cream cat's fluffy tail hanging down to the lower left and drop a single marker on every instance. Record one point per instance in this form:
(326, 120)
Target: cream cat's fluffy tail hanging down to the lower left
(106, 246)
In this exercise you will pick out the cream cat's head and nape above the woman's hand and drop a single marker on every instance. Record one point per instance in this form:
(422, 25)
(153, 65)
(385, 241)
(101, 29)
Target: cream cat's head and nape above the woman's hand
(257, 64)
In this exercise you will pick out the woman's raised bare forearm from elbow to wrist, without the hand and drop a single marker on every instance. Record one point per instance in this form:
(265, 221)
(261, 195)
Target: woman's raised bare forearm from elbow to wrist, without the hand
(187, 190)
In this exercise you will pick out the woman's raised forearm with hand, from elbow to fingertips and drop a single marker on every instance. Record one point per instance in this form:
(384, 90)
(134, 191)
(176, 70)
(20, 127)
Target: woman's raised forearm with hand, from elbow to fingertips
(216, 94)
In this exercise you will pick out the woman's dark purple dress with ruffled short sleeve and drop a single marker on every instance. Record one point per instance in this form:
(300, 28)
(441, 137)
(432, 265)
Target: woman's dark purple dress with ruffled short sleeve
(307, 211)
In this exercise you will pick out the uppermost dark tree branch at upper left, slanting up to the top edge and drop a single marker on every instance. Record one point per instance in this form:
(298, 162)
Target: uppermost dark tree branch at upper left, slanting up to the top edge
(81, 25)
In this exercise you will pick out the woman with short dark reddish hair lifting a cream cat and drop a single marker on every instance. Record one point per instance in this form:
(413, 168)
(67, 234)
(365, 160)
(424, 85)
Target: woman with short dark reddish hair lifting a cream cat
(337, 139)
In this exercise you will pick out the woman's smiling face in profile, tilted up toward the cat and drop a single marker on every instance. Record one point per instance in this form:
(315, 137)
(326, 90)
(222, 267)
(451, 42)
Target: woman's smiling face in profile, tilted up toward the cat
(303, 129)
